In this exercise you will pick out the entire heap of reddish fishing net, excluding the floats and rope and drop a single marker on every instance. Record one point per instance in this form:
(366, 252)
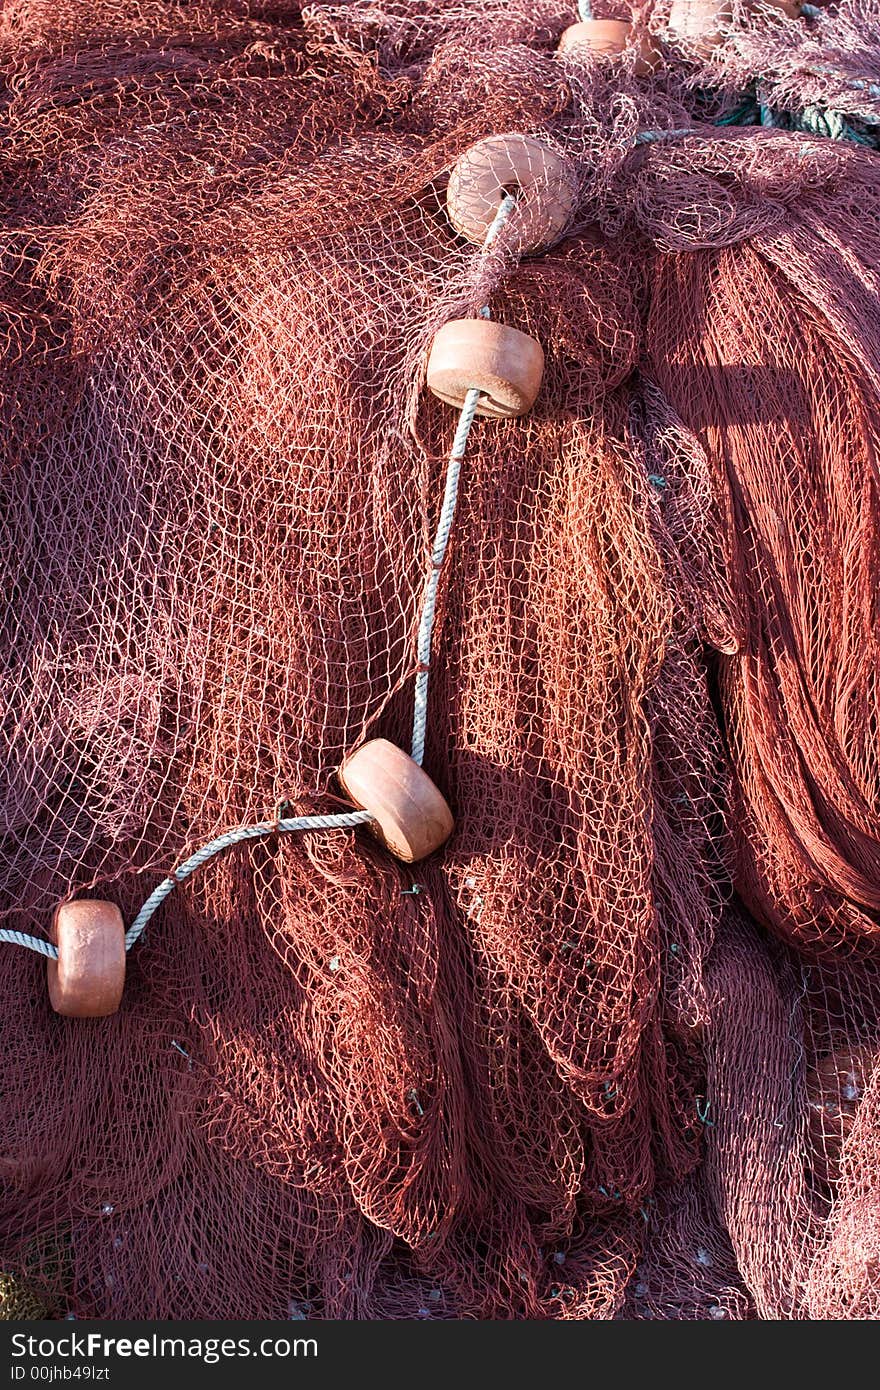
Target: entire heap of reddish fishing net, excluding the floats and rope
(612, 1054)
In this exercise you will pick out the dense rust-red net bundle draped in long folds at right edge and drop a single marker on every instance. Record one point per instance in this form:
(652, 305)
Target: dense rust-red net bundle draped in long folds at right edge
(771, 354)
